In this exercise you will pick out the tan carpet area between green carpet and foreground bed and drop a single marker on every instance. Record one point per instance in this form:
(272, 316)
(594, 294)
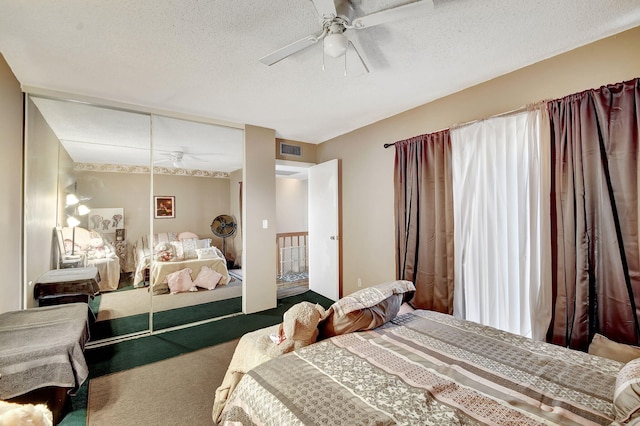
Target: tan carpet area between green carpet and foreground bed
(178, 390)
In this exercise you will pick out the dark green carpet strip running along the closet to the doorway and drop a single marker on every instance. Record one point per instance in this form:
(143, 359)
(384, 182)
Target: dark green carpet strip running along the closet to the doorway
(133, 353)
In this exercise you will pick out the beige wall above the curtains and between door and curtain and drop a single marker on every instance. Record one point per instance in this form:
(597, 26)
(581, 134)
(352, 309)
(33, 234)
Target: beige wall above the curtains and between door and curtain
(368, 224)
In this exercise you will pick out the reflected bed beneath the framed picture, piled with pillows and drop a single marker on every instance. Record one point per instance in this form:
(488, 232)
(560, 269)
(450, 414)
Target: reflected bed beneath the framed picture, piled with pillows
(173, 252)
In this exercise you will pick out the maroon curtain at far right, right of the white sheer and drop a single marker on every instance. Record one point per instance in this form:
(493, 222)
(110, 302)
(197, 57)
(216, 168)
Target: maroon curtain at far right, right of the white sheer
(594, 215)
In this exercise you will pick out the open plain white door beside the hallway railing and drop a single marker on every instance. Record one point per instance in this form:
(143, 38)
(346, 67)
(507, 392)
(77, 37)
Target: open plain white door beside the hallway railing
(323, 230)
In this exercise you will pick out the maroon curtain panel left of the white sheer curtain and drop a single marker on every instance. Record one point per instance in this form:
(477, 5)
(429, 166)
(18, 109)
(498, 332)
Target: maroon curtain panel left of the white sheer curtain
(424, 219)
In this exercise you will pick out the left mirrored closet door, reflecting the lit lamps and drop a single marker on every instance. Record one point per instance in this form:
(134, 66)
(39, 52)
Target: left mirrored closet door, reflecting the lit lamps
(96, 207)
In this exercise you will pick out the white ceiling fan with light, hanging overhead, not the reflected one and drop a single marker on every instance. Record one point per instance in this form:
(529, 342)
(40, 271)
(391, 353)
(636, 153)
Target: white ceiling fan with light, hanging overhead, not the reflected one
(336, 18)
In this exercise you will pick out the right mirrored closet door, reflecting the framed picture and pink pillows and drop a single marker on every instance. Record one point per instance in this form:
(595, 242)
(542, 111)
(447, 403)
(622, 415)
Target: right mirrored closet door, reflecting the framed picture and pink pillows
(192, 167)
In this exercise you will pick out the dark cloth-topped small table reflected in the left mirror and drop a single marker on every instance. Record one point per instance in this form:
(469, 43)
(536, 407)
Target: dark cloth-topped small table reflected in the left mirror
(67, 286)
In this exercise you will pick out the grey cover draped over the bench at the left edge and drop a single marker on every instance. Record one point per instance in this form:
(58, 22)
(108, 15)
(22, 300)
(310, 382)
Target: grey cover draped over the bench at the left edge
(43, 347)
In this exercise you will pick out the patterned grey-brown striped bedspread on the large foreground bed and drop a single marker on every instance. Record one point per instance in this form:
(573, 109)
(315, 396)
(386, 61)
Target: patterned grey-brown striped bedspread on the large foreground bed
(427, 368)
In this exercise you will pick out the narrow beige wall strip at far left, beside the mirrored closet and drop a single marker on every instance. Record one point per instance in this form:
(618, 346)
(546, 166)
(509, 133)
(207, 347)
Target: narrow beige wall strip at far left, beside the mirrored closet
(11, 113)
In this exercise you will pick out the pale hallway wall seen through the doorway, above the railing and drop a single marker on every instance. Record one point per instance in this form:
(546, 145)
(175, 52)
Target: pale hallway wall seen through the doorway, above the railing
(292, 205)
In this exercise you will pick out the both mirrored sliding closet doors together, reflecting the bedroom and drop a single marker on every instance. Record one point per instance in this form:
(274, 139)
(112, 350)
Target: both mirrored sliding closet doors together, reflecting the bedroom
(119, 190)
